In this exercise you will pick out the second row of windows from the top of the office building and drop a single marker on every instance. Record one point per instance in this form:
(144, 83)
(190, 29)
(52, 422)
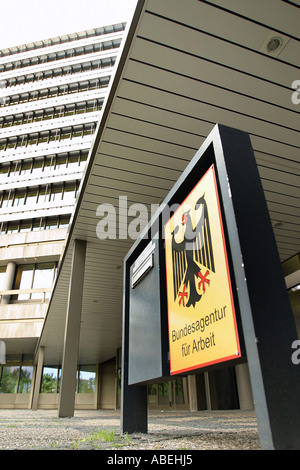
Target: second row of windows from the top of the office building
(59, 55)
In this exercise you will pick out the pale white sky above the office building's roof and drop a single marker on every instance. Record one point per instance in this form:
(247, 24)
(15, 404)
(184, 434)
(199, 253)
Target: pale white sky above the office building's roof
(33, 20)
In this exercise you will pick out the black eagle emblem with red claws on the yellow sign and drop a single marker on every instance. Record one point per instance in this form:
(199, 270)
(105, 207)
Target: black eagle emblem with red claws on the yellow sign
(190, 255)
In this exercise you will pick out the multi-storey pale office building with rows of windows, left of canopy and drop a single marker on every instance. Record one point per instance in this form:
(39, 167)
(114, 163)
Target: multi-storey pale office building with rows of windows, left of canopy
(52, 94)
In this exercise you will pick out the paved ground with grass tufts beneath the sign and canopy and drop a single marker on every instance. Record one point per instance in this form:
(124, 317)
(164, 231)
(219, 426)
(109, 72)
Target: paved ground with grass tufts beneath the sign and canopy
(100, 429)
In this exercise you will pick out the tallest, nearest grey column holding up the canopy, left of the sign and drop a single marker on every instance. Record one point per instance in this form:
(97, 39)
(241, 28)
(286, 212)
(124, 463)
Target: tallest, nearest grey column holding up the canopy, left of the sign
(72, 332)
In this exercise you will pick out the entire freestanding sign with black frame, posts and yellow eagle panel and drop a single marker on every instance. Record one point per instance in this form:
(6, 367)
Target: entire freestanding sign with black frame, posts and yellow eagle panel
(222, 295)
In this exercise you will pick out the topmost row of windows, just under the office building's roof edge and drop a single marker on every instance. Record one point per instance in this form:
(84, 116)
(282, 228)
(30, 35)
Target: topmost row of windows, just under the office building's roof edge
(64, 39)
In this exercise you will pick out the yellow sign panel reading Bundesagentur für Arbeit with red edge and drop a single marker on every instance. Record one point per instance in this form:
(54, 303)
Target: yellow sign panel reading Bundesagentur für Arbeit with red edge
(201, 315)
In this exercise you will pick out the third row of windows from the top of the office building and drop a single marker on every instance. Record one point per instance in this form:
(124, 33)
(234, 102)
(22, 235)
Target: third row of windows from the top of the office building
(59, 71)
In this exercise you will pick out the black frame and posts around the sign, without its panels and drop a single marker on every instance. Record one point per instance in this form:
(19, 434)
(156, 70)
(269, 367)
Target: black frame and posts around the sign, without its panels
(266, 317)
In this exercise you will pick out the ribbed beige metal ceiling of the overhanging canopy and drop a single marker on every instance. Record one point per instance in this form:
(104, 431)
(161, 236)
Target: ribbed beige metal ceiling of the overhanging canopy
(186, 66)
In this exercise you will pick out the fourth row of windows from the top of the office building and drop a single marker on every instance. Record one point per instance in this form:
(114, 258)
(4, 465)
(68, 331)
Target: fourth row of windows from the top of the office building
(50, 92)
